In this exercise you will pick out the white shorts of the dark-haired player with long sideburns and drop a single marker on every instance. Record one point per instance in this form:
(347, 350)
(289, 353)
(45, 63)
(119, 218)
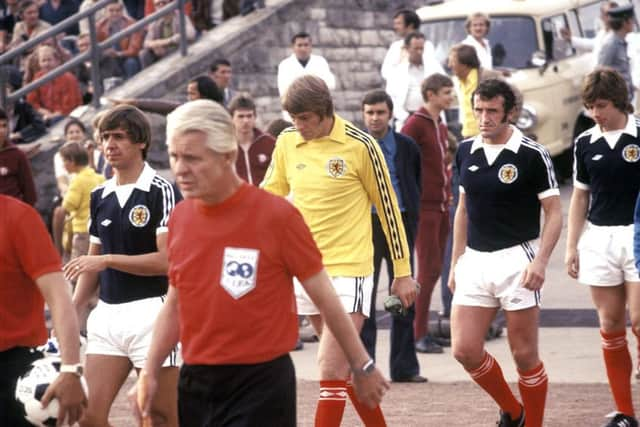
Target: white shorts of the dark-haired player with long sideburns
(492, 279)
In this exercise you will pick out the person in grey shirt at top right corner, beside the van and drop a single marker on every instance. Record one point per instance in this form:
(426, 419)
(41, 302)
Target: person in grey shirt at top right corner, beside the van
(613, 52)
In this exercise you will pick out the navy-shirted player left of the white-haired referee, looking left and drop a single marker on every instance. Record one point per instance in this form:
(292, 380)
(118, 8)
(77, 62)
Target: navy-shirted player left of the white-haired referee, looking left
(127, 256)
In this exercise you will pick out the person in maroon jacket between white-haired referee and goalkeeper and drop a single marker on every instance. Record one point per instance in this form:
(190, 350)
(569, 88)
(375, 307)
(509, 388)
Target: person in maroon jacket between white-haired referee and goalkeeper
(255, 147)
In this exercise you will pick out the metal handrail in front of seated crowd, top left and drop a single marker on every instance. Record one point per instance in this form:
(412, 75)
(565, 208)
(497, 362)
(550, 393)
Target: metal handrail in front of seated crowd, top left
(94, 52)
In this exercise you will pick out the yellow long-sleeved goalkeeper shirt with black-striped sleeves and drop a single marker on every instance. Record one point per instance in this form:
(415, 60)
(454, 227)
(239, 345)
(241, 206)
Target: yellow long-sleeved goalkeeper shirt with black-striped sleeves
(333, 181)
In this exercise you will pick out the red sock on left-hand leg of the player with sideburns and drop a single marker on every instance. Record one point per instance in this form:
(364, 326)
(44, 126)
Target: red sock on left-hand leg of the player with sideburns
(489, 376)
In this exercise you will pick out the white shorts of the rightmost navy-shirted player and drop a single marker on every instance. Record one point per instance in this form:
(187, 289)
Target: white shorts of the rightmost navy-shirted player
(605, 255)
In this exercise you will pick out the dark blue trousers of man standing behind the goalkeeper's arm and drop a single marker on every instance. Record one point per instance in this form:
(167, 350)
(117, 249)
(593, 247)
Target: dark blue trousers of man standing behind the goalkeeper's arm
(403, 361)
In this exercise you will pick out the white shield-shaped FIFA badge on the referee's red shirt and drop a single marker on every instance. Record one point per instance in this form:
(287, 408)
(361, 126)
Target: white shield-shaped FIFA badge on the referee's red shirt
(239, 271)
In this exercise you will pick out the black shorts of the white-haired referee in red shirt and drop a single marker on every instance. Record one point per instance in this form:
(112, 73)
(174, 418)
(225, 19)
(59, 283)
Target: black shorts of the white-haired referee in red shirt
(238, 395)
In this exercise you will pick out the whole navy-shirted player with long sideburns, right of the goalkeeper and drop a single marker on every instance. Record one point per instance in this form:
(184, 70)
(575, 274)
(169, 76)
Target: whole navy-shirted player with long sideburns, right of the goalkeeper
(499, 256)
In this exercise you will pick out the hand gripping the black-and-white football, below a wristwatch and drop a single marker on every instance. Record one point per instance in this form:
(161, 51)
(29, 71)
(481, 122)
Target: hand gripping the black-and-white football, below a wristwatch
(70, 394)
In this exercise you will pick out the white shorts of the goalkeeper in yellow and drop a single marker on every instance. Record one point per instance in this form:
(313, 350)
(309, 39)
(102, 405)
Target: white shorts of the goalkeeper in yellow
(354, 293)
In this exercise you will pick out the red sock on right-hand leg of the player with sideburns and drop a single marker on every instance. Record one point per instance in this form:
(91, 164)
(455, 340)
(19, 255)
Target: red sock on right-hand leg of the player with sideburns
(533, 389)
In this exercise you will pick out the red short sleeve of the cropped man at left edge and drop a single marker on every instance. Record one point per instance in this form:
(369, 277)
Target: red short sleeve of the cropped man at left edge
(34, 248)
